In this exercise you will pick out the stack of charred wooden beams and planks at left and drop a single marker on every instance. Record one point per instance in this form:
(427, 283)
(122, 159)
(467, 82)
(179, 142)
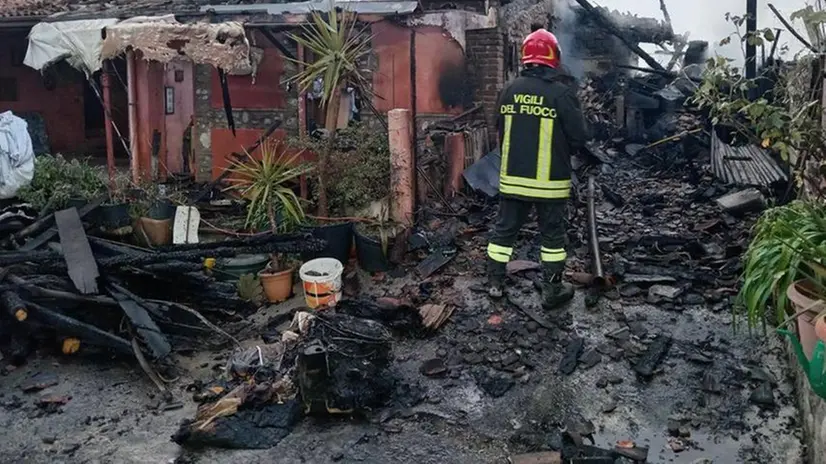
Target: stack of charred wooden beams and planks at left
(68, 290)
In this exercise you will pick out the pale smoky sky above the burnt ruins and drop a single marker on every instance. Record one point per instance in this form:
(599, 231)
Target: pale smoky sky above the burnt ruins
(705, 19)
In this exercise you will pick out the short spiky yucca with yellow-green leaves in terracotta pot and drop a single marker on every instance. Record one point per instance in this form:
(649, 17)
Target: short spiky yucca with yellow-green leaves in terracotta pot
(264, 183)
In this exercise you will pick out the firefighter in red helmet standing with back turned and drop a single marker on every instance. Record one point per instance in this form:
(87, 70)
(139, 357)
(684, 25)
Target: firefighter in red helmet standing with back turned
(540, 126)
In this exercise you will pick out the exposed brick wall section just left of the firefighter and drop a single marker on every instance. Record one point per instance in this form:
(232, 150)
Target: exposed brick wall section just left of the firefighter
(486, 55)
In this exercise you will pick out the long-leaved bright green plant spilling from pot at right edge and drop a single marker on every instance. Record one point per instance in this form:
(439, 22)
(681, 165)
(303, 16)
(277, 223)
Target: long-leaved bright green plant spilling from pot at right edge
(789, 244)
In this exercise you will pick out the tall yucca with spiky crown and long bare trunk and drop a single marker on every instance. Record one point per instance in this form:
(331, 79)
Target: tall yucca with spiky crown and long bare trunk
(338, 47)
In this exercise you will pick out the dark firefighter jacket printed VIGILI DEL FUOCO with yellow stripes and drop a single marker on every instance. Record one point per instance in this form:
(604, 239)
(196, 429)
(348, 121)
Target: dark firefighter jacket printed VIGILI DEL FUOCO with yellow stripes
(540, 127)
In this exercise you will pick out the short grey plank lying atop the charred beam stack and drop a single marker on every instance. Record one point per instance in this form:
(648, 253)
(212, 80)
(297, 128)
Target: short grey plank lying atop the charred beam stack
(83, 270)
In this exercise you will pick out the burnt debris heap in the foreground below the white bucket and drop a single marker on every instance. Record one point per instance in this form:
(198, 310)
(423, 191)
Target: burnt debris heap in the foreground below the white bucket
(326, 364)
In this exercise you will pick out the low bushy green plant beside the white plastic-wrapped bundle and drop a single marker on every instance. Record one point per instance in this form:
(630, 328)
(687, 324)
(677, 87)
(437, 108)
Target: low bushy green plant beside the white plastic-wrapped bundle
(57, 180)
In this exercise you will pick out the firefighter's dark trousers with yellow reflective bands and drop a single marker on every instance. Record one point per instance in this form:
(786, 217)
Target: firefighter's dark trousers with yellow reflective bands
(512, 216)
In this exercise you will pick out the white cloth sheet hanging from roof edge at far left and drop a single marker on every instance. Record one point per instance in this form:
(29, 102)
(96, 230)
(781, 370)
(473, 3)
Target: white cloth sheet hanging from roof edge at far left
(78, 42)
